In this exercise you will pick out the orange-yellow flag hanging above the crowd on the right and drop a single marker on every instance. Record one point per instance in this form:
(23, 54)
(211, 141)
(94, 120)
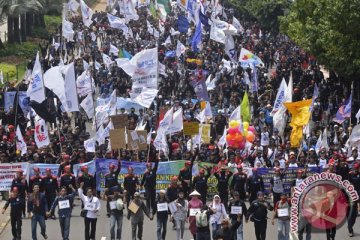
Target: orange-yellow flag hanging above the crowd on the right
(300, 116)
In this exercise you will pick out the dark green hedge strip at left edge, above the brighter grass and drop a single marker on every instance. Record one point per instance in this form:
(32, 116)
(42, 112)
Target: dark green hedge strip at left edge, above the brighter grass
(24, 50)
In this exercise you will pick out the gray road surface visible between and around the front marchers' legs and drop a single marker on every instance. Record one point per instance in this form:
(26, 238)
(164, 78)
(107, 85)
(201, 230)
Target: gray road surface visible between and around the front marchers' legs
(102, 233)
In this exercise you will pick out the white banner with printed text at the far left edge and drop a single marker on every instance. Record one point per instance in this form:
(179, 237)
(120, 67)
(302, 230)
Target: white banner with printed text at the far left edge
(8, 173)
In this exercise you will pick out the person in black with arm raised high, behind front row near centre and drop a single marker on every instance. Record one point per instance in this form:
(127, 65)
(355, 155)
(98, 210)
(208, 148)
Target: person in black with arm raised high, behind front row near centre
(149, 182)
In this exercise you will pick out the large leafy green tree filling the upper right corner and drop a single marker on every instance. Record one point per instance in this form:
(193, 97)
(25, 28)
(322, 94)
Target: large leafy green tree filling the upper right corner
(330, 30)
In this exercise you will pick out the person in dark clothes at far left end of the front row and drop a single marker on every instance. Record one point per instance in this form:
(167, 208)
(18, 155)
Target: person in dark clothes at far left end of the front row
(17, 204)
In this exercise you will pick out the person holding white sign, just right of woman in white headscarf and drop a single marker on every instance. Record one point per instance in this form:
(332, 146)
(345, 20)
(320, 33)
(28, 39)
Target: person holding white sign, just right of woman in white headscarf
(237, 202)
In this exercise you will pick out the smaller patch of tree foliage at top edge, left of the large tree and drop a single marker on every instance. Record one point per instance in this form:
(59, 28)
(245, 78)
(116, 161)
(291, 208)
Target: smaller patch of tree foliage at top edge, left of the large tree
(264, 11)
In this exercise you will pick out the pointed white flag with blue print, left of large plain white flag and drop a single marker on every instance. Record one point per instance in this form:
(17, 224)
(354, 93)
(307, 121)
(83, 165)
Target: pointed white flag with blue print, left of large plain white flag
(36, 90)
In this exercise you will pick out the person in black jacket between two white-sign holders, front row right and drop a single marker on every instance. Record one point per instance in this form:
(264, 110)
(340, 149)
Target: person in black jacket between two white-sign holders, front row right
(257, 213)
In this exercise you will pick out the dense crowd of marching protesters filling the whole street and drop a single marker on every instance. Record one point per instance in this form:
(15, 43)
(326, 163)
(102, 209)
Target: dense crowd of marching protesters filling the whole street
(185, 200)
